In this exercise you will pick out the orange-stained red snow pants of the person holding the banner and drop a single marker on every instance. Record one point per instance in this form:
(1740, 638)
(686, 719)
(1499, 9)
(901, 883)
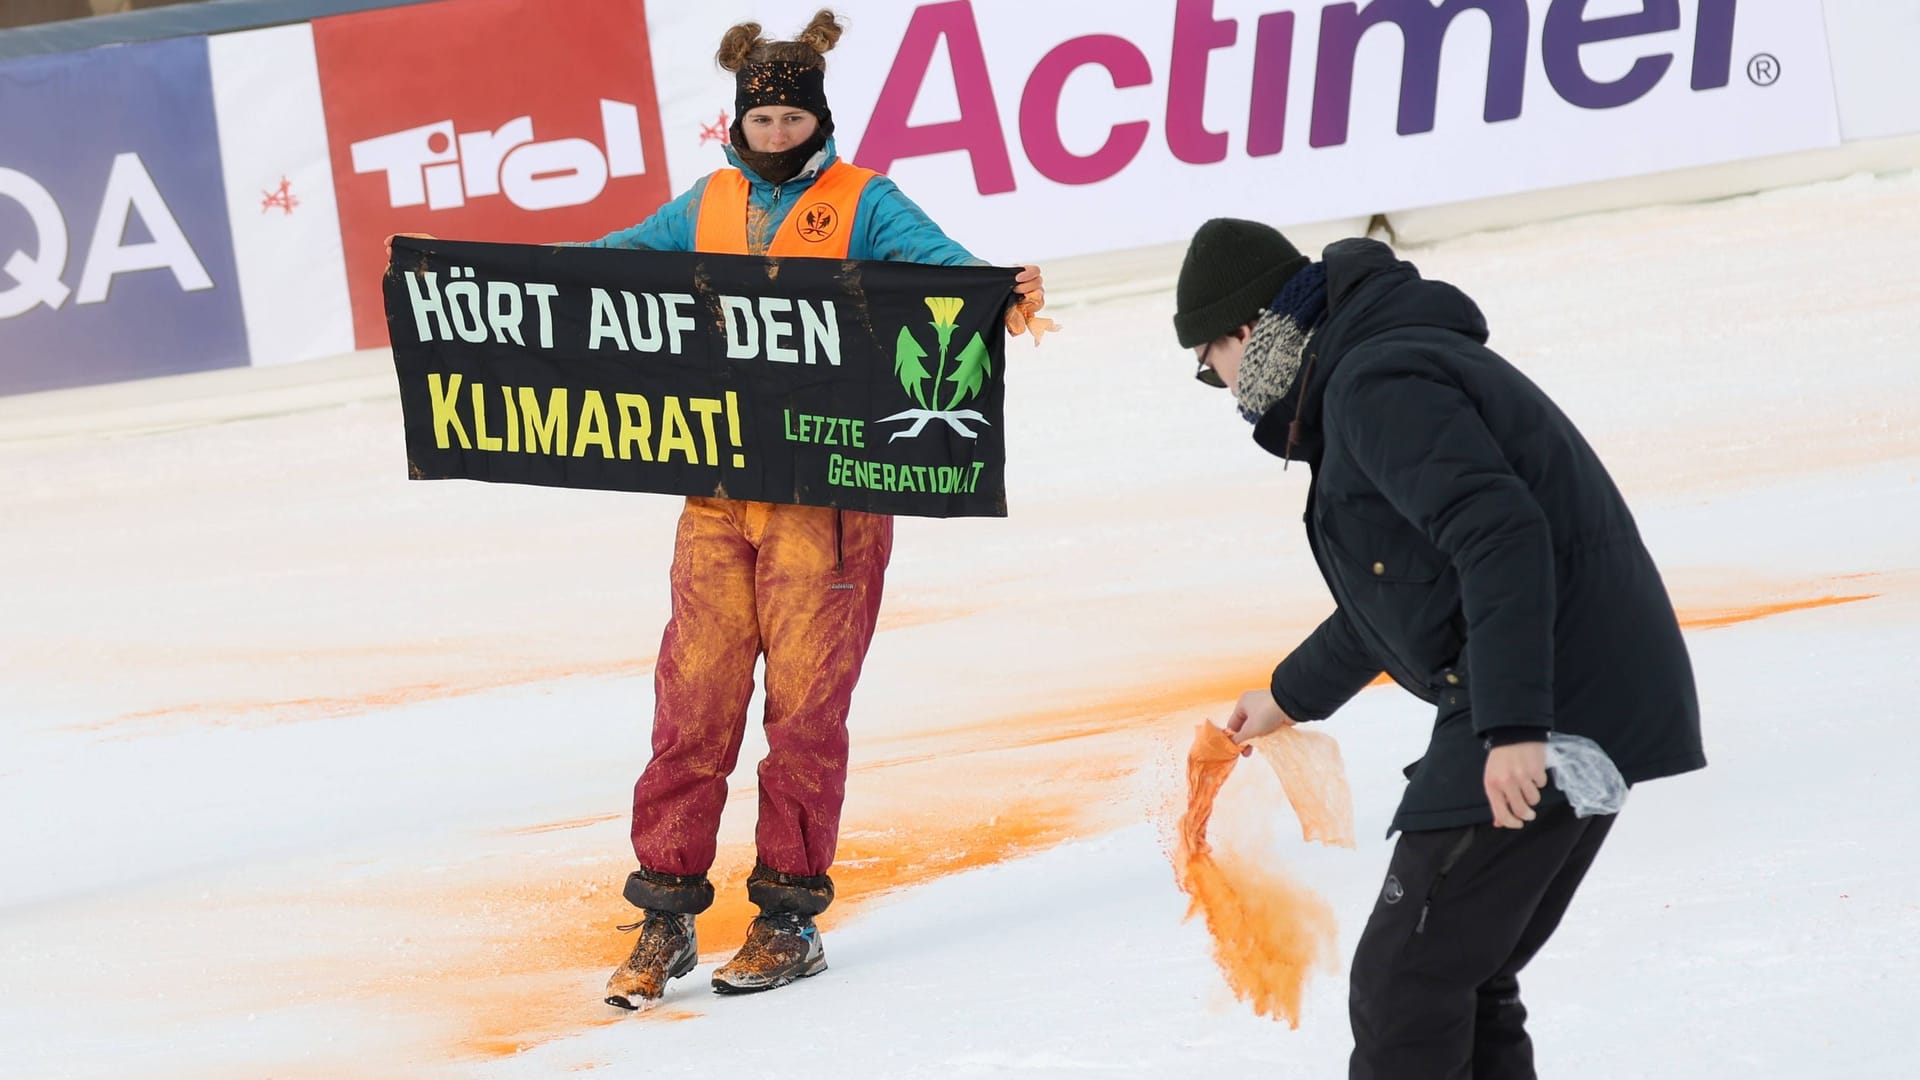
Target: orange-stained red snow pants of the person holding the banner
(800, 585)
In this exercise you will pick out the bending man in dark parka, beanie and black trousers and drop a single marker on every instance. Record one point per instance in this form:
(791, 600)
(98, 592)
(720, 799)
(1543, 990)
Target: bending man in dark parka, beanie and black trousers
(1479, 554)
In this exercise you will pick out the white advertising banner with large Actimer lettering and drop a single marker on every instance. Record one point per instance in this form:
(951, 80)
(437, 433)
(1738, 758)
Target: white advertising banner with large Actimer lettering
(1082, 126)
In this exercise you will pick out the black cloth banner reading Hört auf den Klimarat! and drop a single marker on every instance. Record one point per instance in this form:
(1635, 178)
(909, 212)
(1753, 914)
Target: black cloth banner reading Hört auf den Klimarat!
(855, 385)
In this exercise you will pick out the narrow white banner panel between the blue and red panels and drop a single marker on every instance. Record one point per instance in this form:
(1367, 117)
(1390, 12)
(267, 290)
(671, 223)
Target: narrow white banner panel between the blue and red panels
(281, 195)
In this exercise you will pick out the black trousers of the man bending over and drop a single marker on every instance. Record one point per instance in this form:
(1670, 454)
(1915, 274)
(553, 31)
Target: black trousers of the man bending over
(1435, 991)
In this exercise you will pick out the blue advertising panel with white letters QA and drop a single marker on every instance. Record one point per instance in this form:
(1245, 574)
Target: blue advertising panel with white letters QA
(116, 255)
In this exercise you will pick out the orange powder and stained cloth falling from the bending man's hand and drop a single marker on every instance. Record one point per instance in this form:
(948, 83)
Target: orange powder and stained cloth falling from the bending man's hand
(1268, 931)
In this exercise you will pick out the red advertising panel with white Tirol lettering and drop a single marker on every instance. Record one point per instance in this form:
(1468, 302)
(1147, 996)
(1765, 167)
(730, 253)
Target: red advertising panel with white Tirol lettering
(477, 137)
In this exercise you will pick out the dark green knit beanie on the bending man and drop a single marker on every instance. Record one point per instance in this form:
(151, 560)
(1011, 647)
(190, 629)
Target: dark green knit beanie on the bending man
(1234, 270)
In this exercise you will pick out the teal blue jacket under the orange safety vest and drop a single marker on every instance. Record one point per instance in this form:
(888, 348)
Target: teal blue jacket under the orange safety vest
(888, 226)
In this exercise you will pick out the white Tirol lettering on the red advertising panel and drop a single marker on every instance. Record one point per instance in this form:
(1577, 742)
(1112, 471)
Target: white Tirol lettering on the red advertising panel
(439, 168)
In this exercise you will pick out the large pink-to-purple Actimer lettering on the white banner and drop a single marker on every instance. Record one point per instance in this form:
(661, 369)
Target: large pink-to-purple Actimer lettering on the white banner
(1564, 28)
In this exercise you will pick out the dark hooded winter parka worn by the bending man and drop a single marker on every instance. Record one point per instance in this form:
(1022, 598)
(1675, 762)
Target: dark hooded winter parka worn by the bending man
(1476, 547)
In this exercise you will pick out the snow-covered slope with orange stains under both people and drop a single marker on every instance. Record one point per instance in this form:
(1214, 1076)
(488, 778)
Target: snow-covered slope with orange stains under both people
(314, 772)
